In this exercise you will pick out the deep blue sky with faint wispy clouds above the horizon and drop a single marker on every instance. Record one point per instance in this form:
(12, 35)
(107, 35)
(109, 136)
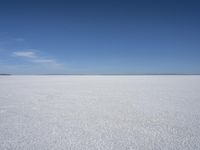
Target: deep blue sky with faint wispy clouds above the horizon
(99, 37)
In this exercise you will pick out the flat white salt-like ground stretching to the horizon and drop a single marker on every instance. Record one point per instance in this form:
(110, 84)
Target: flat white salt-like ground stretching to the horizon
(100, 112)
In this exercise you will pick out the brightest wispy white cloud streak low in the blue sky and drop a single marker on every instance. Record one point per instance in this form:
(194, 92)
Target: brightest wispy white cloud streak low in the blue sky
(35, 58)
